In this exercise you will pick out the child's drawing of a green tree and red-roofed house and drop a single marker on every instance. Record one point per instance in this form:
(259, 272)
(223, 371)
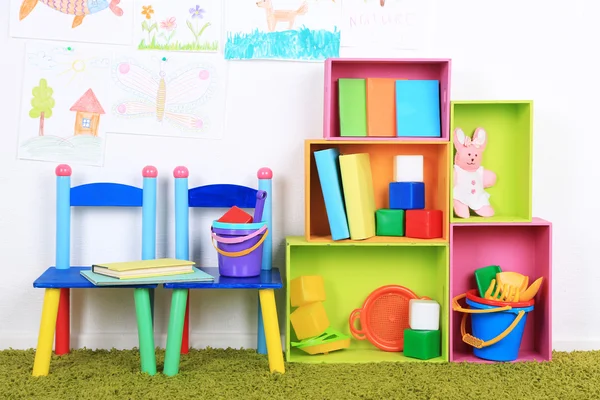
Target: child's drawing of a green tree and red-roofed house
(62, 108)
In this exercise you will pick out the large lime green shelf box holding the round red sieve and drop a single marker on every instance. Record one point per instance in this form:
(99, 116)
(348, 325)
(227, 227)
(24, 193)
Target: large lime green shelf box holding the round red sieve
(350, 273)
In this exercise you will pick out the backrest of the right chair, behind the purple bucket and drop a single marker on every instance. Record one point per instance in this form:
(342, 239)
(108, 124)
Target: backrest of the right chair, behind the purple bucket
(219, 196)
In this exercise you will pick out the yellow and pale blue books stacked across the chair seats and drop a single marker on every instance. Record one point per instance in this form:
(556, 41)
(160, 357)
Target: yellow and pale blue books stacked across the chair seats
(146, 272)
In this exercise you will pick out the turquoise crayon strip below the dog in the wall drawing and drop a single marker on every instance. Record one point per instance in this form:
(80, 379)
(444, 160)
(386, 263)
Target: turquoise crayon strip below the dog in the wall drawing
(300, 44)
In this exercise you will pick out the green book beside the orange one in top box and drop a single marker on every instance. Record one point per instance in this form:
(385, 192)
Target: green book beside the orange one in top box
(353, 106)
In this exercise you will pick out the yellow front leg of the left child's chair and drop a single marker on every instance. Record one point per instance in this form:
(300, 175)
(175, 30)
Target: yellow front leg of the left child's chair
(43, 353)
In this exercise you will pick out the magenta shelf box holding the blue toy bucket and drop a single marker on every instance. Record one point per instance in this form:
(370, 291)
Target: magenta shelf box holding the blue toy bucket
(524, 247)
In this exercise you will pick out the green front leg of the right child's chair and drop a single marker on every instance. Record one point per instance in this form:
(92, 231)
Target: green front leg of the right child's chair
(175, 331)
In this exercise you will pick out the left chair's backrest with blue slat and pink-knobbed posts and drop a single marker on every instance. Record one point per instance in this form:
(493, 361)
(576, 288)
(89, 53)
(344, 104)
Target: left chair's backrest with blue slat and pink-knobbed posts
(103, 194)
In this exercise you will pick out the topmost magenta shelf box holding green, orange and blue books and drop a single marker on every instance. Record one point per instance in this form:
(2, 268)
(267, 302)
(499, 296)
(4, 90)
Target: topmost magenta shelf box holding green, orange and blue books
(400, 68)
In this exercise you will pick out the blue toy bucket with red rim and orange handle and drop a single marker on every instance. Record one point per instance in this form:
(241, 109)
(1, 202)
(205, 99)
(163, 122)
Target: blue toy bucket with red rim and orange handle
(497, 326)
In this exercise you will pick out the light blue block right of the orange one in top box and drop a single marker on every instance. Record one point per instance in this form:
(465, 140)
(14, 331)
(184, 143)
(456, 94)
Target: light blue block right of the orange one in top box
(418, 108)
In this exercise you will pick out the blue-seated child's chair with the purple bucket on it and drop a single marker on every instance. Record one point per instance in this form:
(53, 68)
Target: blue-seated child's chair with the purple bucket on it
(223, 196)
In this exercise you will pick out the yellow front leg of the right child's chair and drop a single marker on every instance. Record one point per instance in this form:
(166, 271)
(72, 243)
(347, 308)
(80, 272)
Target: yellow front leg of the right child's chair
(271, 324)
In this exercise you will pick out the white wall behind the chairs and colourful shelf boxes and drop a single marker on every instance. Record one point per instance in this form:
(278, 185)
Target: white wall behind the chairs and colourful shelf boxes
(543, 50)
